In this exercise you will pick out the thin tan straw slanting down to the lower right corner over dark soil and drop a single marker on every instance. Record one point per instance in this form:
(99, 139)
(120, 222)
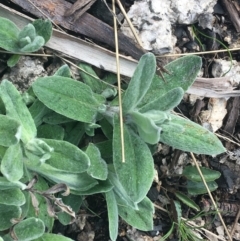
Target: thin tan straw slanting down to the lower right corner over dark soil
(211, 197)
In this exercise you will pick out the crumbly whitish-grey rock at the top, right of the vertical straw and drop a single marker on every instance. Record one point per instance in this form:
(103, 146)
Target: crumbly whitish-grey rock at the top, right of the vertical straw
(153, 20)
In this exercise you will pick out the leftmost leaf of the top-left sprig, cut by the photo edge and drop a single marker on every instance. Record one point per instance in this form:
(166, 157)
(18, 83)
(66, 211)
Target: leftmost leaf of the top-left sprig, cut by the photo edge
(8, 35)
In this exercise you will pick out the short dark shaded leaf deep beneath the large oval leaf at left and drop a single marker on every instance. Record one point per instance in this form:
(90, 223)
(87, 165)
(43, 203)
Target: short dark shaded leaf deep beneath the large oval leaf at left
(50, 132)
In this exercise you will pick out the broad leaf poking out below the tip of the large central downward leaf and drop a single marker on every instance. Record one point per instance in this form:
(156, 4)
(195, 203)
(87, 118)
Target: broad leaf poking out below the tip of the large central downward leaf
(142, 218)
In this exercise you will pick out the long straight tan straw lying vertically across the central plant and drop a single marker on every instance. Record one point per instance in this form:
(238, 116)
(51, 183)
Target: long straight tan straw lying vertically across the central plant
(119, 83)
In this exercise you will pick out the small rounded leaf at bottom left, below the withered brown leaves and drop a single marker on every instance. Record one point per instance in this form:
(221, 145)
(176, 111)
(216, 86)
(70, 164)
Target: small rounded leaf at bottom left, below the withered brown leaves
(29, 229)
